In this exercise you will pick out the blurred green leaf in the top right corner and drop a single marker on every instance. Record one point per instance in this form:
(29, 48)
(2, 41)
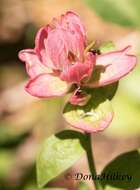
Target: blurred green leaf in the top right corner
(125, 13)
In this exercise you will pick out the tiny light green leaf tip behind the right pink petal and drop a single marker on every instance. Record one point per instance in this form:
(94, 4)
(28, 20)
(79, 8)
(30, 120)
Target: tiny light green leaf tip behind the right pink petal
(107, 47)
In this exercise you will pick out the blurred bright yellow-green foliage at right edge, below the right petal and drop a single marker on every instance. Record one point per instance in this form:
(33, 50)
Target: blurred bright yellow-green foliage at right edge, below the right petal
(126, 105)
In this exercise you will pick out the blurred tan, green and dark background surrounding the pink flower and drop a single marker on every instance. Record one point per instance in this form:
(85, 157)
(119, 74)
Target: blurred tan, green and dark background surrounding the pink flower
(25, 121)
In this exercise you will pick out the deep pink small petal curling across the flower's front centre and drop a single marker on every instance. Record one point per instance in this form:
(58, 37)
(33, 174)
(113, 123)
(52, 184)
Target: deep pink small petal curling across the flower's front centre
(78, 71)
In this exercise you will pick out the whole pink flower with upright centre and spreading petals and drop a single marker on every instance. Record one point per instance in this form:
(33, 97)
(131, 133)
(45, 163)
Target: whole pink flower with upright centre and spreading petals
(60, 59)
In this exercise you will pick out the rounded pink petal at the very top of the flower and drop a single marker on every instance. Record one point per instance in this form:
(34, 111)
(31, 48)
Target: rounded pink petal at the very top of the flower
(71, 21)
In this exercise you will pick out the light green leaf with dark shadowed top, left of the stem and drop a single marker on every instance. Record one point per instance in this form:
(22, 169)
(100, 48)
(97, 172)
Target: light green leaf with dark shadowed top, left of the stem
(58, 153)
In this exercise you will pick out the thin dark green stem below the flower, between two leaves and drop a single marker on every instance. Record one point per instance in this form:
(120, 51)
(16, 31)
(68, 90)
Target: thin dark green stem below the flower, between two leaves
(91, 161)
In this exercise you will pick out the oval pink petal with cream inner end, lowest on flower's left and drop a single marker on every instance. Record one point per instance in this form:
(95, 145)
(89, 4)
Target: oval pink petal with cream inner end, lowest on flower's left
(46, 86)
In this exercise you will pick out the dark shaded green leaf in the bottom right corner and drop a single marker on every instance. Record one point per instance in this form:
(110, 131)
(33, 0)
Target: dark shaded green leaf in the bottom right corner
(123, 171)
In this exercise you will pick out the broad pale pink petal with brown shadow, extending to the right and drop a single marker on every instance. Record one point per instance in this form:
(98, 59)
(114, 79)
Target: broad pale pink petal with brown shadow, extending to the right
(111, 67)
